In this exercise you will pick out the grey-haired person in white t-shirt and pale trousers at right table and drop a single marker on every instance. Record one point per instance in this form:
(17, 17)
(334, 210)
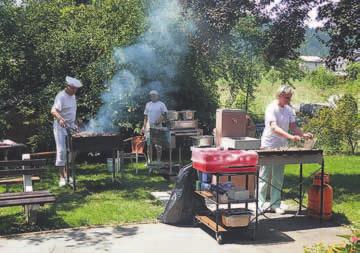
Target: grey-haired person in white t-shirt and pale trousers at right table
(279, 119)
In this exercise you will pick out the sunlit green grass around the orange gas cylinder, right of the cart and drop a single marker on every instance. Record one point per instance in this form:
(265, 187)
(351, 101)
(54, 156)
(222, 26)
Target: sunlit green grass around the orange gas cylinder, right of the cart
(344, 178)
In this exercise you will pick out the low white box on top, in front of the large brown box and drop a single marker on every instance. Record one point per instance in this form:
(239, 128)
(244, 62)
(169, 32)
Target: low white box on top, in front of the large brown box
(243, 143)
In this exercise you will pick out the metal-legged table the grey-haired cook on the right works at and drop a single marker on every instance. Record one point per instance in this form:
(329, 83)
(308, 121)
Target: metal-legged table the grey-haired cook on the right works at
(295, 156)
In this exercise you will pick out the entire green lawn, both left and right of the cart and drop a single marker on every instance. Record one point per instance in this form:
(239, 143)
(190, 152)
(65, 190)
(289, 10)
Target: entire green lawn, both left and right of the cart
(98, 201)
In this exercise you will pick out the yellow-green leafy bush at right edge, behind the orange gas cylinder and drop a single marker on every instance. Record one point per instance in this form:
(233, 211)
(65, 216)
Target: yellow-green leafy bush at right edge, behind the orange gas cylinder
(338, 129)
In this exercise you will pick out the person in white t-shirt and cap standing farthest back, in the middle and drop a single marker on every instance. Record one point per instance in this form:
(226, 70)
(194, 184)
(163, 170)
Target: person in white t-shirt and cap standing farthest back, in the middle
(154, 115)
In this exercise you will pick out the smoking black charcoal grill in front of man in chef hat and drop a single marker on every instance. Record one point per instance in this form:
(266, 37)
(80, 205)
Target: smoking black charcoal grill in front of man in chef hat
(92, 142)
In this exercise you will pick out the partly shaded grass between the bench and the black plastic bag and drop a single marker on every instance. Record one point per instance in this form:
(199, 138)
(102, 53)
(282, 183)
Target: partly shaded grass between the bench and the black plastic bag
(97, 200)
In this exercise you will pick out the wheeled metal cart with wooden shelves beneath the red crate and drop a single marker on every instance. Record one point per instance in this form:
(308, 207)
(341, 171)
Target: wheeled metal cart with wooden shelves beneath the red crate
(212, 218)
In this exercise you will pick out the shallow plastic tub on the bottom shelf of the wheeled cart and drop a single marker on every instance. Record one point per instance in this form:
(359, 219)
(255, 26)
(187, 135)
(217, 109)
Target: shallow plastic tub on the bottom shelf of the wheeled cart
(236, 218)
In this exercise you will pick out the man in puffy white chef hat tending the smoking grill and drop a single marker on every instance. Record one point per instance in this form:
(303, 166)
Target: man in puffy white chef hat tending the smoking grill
(64, 112)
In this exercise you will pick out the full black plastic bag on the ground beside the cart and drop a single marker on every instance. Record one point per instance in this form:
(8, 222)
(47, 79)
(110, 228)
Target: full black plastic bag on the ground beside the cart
(183, 202)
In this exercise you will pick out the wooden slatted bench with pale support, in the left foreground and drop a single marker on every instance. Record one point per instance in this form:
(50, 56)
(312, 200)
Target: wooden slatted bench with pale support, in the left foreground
(30, 199)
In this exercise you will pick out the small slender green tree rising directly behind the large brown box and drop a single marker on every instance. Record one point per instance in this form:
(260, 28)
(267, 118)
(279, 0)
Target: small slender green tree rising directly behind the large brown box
(240, 61)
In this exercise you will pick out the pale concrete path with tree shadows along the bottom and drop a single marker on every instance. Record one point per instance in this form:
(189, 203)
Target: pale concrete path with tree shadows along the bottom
(285, 234)
